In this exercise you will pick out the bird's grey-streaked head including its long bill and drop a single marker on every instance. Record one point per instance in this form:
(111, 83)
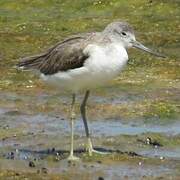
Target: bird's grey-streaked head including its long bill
(122, 32)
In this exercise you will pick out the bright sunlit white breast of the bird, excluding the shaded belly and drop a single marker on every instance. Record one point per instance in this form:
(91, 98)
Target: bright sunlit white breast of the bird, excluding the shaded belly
(108, 60)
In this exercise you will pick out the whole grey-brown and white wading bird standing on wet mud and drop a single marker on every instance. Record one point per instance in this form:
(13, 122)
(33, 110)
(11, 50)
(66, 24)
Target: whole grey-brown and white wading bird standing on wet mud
(83, 62)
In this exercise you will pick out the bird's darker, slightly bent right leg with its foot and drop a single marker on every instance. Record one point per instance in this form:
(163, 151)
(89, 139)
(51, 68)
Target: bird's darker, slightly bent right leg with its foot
(83, 114)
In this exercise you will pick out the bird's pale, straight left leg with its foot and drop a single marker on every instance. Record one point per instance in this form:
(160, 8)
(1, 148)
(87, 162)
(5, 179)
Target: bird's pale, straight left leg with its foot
(72, 118)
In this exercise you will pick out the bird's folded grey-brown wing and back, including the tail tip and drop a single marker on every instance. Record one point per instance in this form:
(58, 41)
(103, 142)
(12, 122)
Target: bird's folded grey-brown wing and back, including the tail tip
(63, 56)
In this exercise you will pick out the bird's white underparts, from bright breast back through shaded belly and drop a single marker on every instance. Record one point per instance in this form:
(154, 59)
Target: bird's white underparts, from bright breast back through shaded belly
(104, 64)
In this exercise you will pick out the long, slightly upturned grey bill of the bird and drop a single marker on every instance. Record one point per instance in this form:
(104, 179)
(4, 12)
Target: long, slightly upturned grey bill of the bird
(140, 46)
